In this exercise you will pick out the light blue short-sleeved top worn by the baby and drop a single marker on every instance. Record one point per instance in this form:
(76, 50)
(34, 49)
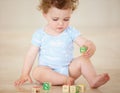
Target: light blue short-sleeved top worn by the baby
(55, 51)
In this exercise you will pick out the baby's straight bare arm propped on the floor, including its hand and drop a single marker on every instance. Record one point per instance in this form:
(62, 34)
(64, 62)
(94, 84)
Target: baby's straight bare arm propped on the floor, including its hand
(29, 60)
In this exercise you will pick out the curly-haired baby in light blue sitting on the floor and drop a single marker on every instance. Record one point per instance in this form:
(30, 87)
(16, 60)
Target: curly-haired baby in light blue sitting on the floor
(54, 44)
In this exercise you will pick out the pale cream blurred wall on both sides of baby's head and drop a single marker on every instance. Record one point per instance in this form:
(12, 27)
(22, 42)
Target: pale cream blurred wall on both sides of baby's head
(91, 13)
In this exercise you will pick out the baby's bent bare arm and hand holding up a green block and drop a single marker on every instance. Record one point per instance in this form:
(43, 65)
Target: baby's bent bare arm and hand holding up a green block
(82, 41)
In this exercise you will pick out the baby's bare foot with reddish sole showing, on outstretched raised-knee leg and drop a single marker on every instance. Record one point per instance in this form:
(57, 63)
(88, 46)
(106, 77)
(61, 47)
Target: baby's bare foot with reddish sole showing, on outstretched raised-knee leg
(100, 80)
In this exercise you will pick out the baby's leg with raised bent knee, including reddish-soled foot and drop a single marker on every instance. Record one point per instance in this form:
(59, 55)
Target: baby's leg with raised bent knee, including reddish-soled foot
(82, 65)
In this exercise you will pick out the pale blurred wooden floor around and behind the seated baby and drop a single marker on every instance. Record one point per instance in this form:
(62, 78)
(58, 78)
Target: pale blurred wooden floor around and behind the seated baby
(15, 42)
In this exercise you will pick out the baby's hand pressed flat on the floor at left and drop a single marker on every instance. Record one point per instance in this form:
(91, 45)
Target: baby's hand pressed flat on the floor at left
(22, 80)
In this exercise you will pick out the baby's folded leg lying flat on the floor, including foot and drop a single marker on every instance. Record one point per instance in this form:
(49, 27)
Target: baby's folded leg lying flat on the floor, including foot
(45, 74)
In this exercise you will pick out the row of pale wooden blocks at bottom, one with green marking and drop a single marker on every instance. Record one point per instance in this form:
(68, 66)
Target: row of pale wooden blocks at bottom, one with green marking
(73, 89)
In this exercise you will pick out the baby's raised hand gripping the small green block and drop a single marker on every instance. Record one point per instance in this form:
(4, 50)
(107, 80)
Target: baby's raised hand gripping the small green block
(90, 49)
